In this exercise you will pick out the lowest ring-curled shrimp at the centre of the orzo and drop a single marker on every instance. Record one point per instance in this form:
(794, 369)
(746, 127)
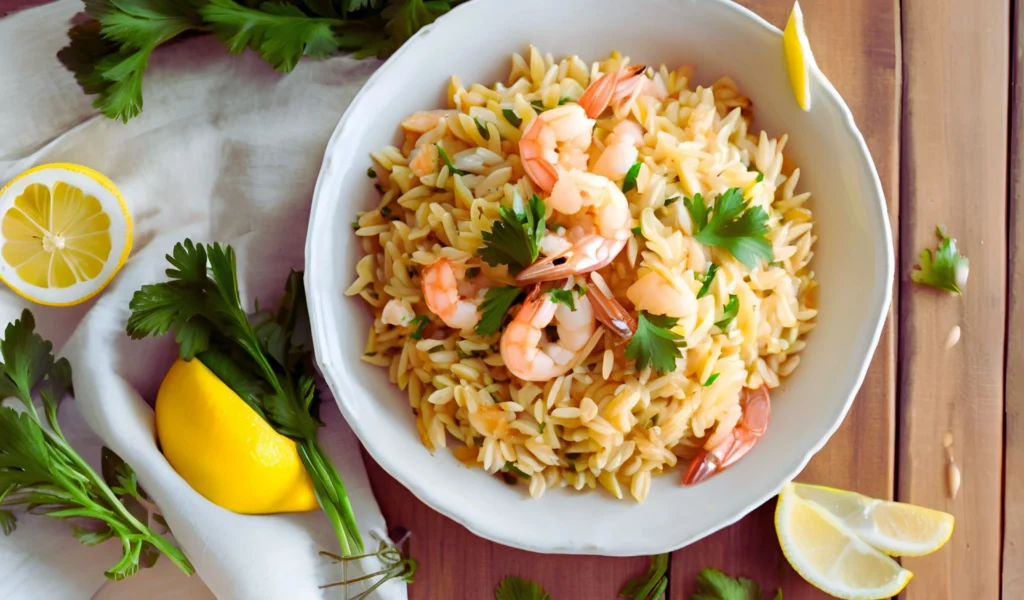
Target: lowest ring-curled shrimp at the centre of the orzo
(526, 349)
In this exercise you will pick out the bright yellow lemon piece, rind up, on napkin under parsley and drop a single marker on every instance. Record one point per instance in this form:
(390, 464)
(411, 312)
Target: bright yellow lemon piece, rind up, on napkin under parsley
(225, 450)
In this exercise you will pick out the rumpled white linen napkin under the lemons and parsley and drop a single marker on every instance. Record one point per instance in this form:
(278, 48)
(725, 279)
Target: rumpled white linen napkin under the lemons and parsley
(226, 150)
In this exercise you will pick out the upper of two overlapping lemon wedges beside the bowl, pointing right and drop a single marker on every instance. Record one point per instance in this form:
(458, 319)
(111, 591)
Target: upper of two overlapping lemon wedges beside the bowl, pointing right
(894, 528)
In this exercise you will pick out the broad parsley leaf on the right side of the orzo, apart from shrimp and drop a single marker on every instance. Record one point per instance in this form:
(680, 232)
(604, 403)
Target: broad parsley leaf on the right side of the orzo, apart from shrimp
(732, 227)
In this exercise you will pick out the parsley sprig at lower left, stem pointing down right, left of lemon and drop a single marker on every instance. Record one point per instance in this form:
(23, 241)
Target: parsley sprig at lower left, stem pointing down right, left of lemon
(41, 473)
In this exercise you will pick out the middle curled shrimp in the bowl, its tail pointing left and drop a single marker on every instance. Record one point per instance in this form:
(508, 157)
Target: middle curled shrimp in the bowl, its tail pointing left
(601, 217)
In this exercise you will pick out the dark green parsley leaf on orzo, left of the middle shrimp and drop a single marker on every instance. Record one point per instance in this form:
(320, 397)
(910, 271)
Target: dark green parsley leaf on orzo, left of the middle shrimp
(516, 239)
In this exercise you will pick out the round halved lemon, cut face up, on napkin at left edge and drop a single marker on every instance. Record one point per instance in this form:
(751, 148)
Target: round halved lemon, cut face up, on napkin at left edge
(66, 233)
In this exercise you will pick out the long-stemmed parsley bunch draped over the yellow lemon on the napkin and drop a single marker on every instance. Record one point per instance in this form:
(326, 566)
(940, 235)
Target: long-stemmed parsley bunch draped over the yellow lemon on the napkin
(266, 358)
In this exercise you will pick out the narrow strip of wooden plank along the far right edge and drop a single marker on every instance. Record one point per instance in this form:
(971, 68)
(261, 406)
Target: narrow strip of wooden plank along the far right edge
(1013, 480)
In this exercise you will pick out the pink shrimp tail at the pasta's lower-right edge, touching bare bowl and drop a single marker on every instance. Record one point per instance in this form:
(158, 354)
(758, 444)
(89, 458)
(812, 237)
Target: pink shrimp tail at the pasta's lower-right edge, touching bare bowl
(752, 427)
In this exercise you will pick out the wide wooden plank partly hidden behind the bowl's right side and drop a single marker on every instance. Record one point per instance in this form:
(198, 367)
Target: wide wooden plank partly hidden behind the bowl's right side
(857, 45)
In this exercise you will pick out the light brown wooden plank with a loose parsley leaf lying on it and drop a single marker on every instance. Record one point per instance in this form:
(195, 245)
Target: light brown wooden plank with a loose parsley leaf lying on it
(955, 173)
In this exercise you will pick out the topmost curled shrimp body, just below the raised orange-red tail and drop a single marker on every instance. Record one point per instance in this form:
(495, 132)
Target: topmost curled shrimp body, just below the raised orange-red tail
(559, 138)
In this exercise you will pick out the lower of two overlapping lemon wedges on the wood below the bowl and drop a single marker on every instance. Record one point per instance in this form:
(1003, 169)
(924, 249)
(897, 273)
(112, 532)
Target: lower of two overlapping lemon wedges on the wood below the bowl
(832, 558)
